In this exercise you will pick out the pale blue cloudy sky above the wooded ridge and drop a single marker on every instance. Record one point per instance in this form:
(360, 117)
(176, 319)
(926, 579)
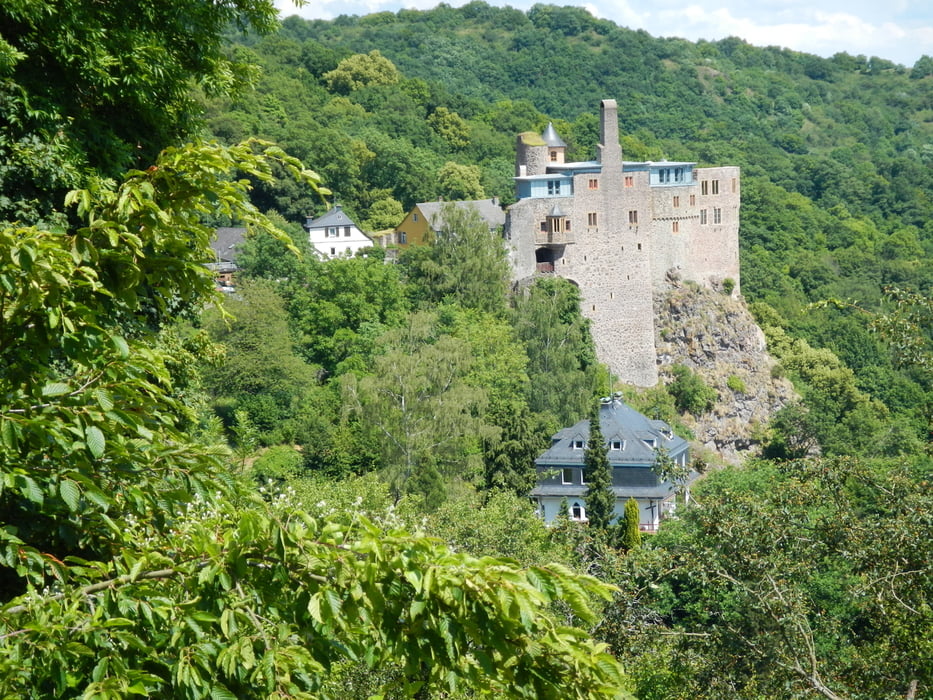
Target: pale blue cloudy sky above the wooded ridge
(897, 30)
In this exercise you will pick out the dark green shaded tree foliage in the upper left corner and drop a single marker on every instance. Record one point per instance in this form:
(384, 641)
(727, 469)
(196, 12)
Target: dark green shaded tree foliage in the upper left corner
(92, 88)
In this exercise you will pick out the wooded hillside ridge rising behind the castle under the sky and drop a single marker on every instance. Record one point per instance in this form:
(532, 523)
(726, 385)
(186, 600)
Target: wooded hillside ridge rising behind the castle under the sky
(836, 154)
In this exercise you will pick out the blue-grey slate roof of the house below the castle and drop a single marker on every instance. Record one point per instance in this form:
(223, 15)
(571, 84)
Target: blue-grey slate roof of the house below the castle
(620, 423)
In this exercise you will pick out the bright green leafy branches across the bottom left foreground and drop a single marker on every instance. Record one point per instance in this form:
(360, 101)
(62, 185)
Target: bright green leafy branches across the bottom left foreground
(280, 596)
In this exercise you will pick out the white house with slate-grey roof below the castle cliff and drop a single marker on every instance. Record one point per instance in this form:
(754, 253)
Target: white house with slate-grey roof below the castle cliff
(633, 442)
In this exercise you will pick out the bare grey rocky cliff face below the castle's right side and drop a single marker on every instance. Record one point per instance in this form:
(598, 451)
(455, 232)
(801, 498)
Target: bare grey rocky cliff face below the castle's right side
(717, 337)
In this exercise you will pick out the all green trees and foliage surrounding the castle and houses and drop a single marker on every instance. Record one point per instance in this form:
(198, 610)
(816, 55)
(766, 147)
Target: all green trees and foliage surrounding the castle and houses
(317, 486)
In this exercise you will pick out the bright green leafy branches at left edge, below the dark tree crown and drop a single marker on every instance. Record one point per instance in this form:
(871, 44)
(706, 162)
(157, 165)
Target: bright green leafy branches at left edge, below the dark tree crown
(90, 418)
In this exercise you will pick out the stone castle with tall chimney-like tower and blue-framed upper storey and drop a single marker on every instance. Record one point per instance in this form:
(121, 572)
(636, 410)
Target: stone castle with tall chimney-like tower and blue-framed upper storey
(621, 231)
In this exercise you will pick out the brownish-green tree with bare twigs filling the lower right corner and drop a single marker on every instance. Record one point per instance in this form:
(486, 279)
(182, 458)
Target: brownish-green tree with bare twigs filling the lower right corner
(799, 579)
